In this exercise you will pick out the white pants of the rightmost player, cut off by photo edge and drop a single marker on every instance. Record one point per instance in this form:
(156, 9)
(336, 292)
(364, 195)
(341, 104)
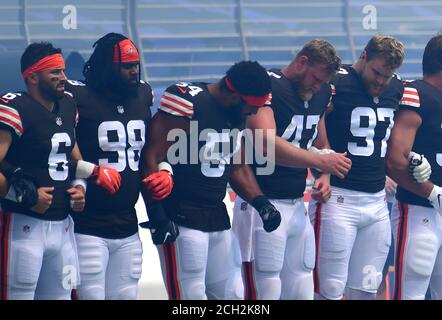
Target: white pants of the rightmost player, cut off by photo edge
(417, 232)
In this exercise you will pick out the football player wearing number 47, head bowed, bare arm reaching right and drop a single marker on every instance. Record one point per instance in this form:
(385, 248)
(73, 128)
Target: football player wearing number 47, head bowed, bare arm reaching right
(279, 264)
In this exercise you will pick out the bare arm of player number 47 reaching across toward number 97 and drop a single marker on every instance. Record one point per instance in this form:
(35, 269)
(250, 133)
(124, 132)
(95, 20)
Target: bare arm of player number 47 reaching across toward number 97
(291, 156)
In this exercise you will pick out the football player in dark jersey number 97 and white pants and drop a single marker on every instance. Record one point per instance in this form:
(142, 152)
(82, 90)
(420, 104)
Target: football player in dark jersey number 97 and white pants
(353, 228)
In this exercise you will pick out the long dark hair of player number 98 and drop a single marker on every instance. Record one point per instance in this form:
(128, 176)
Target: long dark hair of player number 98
(98, 70)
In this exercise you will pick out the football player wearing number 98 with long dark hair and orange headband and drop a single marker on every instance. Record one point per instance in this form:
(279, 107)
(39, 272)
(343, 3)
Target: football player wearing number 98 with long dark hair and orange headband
(114, 110)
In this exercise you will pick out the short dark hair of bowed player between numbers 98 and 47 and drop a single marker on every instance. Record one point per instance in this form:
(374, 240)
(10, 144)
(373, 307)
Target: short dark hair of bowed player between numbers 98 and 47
(249, 78)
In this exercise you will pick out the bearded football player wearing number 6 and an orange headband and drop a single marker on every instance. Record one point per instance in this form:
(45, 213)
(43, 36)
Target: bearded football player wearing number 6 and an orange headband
(37, 140)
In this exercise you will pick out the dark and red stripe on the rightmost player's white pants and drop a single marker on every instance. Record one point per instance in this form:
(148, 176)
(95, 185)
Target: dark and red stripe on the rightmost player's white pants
(401, 240)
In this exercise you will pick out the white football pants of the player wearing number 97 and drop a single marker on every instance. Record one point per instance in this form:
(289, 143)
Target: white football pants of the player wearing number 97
(353, 237)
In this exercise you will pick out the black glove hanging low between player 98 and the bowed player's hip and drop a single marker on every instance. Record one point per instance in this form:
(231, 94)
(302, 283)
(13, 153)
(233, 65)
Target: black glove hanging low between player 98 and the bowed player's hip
(161, 228)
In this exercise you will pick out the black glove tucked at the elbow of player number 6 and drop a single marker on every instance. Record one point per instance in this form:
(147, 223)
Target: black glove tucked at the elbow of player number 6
(22, 188)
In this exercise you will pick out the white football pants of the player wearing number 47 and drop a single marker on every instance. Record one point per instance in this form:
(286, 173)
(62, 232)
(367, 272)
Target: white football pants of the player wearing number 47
(279, 264)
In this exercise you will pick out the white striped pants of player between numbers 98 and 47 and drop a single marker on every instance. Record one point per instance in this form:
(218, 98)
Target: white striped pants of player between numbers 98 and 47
(202, 265)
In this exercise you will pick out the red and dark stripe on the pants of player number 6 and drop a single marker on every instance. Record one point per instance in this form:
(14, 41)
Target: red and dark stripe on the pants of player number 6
(5, 219)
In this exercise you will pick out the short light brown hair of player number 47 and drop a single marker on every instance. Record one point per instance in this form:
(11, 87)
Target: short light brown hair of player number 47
(320, 51)
